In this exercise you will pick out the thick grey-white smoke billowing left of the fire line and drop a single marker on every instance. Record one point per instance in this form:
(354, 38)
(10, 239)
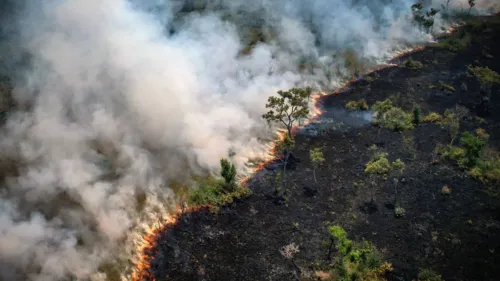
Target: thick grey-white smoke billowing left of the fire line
(122, 98)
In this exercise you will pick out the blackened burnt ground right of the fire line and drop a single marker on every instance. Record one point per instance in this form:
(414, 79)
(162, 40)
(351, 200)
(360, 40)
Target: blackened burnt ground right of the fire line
(458, 235)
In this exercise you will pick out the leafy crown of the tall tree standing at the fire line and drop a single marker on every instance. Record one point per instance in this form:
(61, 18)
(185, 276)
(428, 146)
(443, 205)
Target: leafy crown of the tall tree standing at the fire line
(288, 108)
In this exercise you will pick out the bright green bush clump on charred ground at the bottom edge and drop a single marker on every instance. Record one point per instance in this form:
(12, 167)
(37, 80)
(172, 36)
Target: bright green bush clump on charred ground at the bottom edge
(356, 261)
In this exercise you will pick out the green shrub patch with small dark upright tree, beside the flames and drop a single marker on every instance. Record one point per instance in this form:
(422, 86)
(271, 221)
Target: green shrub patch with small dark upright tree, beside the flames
(215, 192)
